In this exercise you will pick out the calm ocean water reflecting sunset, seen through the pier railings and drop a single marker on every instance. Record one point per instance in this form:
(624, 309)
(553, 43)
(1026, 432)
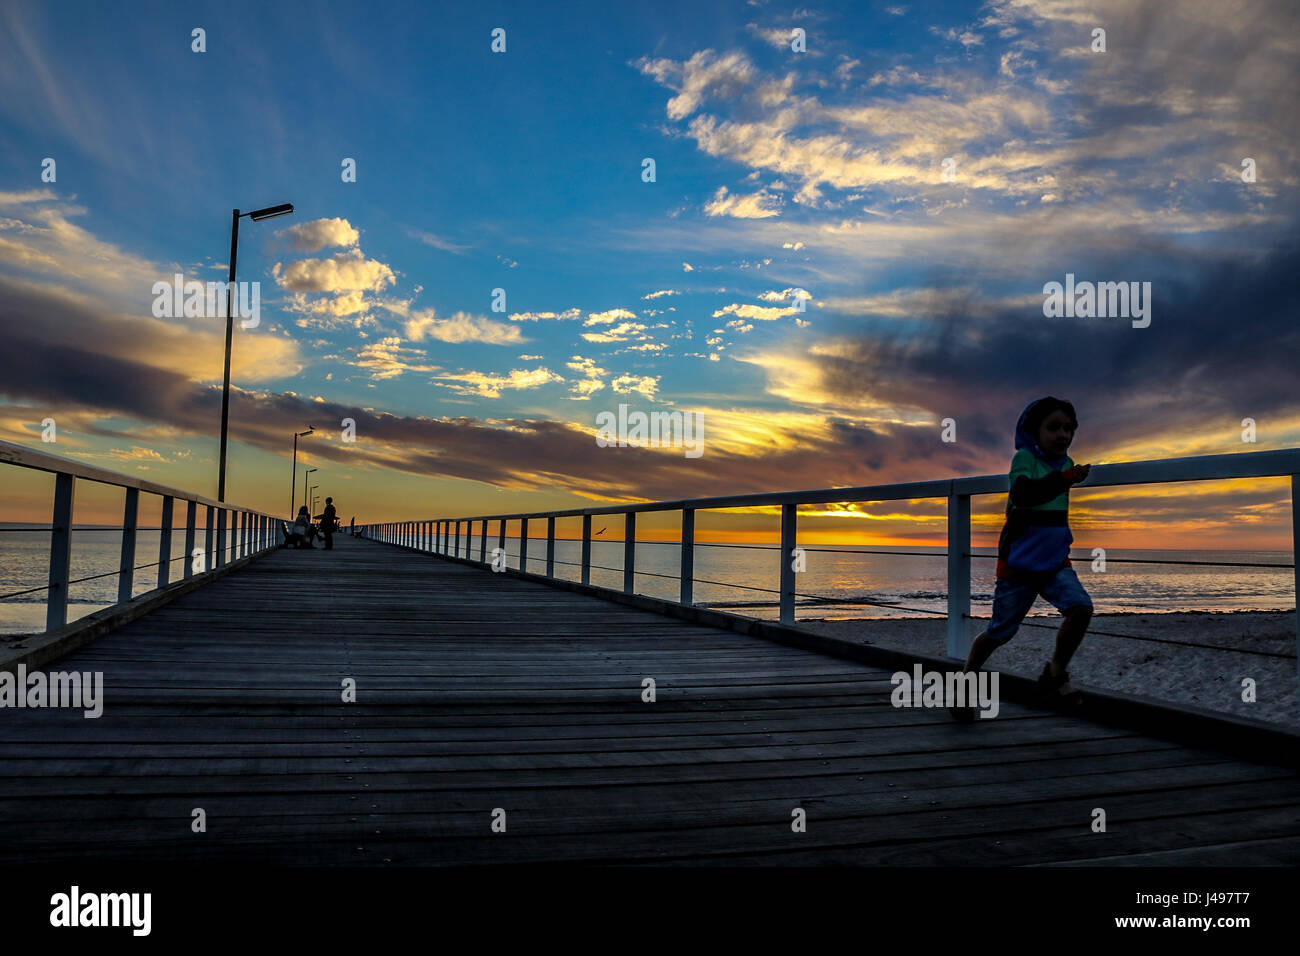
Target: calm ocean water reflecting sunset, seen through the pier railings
(839, 583)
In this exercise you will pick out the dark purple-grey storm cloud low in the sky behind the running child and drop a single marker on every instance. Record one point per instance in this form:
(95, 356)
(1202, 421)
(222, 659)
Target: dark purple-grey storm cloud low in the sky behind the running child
(1224, 344)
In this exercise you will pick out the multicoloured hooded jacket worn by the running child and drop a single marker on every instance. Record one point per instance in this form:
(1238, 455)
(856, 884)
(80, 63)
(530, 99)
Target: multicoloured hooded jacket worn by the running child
(1037, 538)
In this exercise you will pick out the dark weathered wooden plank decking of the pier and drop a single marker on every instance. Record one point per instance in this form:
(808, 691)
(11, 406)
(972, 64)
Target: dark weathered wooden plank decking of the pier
(479, 691)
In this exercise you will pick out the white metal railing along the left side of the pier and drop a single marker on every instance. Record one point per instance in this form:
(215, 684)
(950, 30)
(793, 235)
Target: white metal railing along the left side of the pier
(250, 531)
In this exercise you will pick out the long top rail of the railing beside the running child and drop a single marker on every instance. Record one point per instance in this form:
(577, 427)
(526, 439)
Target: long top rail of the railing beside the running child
(1277, 464)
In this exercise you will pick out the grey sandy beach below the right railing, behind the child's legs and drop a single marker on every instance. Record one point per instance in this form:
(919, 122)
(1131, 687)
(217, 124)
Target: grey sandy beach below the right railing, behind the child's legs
(1199, 677)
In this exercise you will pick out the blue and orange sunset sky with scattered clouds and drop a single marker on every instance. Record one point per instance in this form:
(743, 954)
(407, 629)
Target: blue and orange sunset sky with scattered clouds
(844, 244)
